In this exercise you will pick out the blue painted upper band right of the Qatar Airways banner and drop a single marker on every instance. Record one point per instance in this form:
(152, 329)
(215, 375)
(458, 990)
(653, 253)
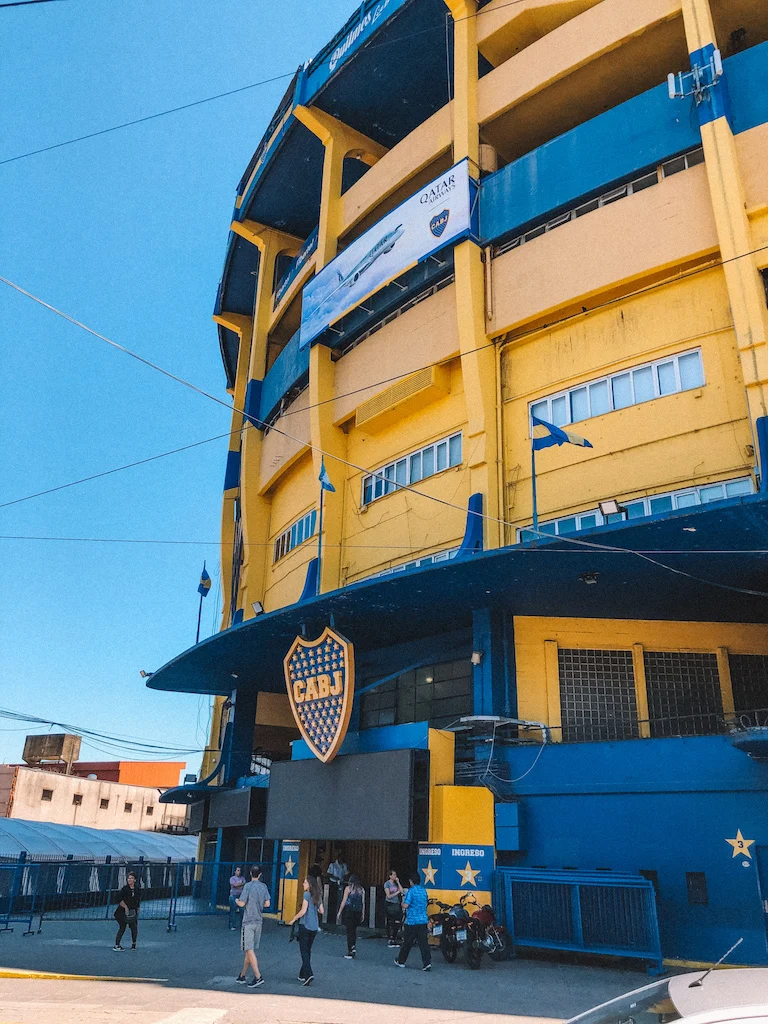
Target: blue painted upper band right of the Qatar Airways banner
(624, 142)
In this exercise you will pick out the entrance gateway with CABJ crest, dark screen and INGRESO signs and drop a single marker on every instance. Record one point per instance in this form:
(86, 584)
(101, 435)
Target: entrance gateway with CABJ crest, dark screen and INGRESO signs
(382, 799)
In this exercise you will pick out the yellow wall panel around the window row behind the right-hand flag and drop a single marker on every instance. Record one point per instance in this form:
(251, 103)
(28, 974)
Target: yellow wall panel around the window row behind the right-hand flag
(669, 443)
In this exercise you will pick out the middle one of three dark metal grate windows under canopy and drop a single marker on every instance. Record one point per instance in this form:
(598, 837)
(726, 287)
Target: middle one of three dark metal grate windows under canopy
(685, 697)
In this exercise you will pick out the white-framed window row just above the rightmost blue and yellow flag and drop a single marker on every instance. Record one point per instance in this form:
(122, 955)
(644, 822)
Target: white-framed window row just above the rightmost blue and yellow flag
(631, 388)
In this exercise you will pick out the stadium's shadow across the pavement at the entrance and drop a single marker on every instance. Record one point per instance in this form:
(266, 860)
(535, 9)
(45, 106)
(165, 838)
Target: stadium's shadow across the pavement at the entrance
(203, 955)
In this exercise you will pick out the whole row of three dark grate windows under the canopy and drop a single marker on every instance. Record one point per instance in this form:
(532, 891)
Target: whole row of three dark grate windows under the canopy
(599, 699)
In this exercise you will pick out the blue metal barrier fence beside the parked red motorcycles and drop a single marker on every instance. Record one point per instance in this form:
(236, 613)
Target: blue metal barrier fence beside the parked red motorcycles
(583, 912)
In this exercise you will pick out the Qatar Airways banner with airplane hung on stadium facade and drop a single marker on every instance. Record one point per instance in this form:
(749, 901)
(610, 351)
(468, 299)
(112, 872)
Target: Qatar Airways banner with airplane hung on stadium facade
(438, 215)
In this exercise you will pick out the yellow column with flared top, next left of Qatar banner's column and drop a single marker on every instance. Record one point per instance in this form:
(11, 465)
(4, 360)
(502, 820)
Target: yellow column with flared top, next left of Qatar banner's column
(255, 508)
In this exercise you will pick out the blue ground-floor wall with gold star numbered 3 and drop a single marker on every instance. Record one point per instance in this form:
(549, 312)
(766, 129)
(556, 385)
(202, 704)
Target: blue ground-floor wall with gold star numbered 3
(664, 805)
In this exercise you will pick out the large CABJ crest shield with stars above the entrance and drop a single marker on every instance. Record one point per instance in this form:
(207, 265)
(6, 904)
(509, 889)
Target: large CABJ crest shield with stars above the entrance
(320, 679)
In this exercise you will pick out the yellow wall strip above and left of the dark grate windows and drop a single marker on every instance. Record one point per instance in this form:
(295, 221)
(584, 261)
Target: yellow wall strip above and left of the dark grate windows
(537, 641)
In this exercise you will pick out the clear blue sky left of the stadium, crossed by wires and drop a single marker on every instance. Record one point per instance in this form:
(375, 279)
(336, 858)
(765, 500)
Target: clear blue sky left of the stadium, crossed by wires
(127, 234)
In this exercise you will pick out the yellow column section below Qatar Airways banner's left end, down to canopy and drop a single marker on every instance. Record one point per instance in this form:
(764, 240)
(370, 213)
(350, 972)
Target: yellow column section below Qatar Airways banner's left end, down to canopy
(331, 440)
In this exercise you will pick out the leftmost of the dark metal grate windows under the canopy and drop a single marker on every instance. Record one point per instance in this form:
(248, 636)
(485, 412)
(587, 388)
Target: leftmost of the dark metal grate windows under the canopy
(598, 695)
